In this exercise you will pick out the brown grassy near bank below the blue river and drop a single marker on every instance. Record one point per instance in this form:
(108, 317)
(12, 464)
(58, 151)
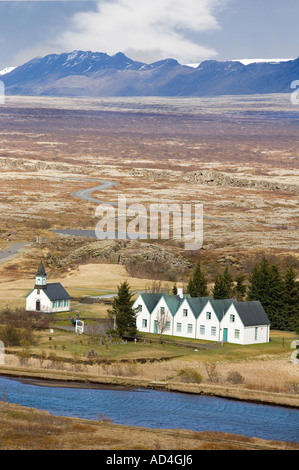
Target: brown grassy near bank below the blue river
(25, 428)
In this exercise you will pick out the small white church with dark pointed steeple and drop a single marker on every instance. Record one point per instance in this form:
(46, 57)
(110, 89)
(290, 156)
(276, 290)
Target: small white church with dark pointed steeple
(47, 298)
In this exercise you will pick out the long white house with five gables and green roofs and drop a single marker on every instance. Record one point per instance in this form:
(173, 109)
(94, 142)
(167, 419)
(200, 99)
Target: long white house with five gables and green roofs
(202, 318)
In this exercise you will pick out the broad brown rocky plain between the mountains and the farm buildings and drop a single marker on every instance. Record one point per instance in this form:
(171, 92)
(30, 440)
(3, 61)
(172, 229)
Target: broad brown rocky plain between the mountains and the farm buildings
(236, 156)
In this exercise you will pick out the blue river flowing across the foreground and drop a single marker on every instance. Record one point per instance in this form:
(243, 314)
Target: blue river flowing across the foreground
(158, 409)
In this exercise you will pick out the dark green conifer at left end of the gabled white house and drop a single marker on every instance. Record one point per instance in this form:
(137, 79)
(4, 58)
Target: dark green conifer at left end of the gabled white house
(123, 311)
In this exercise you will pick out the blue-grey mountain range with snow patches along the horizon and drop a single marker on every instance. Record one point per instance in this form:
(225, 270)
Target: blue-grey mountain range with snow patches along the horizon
(97, 74)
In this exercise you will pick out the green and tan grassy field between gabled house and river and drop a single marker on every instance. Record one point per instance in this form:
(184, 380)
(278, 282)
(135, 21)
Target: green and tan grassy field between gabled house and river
(63, 355)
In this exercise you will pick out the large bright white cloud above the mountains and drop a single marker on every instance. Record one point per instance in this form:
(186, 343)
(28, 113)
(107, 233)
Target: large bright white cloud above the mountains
(145, 30)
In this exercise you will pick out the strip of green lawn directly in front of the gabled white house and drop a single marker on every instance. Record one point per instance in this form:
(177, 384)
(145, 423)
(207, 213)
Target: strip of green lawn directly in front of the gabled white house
(69, 344)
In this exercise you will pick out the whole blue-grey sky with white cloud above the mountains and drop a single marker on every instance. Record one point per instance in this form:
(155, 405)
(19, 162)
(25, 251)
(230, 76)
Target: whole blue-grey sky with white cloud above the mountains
(150, 30)
